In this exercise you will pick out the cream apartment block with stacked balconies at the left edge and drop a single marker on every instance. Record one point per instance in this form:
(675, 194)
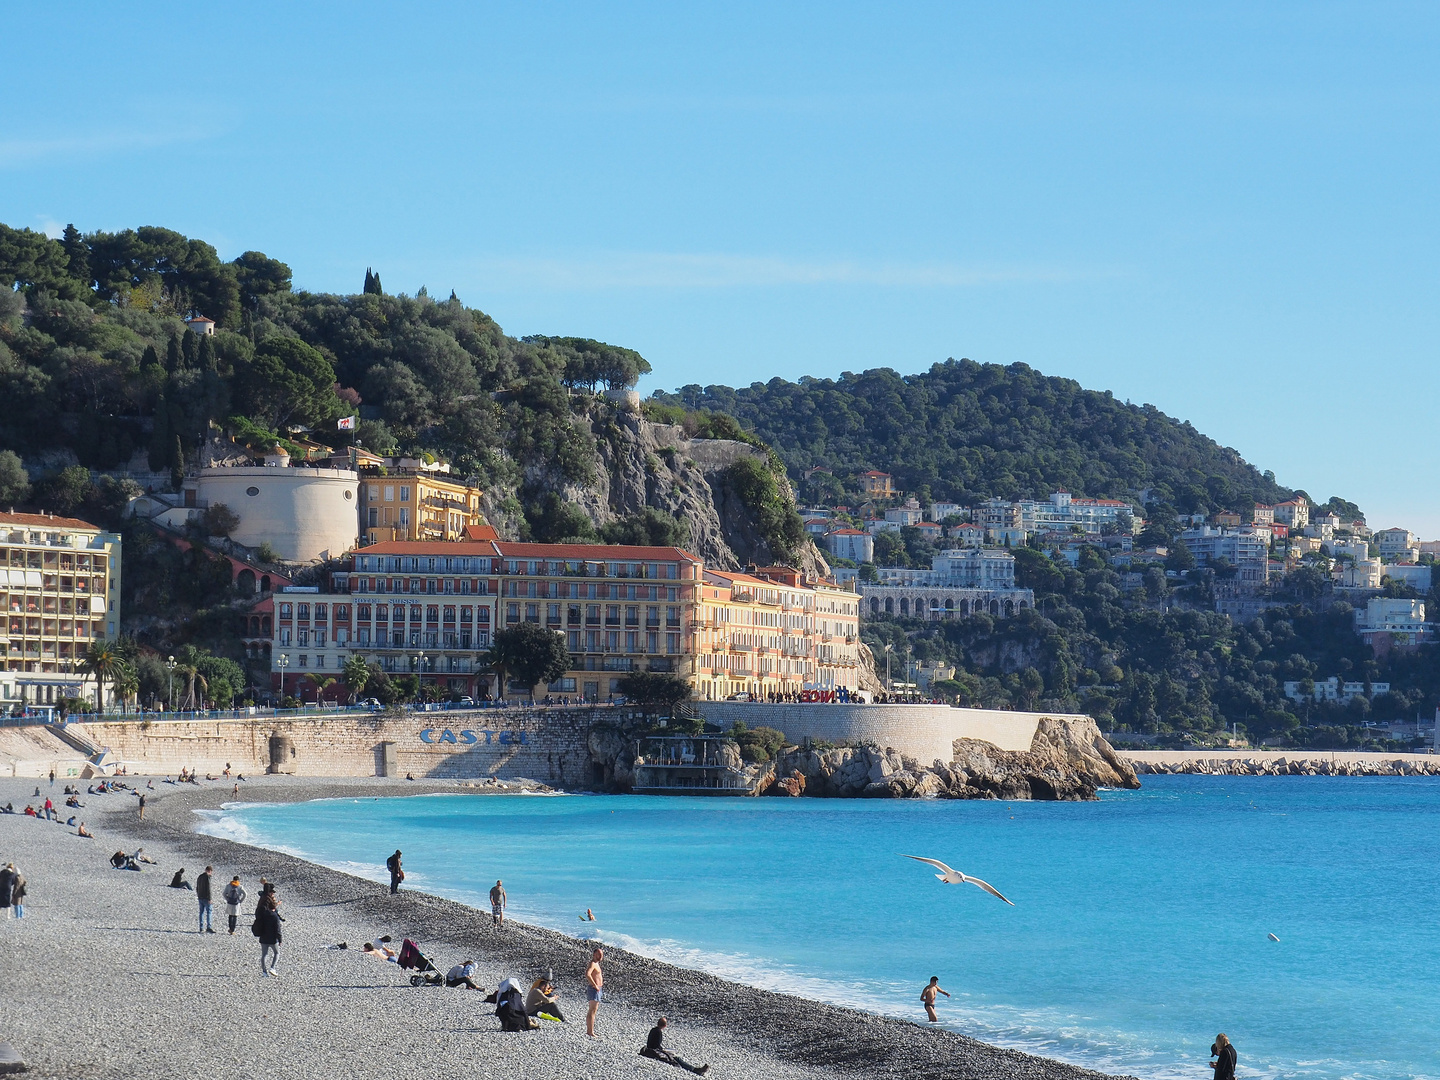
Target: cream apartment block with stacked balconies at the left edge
(60, 587)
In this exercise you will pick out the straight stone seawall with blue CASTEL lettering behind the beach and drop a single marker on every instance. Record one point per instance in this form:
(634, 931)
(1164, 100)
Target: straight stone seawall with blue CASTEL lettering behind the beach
(548, 745)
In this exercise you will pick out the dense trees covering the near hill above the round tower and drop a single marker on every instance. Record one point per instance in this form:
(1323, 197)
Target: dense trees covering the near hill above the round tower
(96, 359)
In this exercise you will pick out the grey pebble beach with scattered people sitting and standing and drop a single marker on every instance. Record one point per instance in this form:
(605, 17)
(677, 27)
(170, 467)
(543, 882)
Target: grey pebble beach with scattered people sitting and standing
(107, 976)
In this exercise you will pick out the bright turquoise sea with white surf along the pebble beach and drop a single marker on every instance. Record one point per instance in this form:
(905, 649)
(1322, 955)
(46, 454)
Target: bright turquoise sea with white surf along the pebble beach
(1140, 925)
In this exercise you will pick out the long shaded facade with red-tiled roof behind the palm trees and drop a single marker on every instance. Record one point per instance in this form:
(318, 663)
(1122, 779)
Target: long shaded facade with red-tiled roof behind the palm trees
(431, 608)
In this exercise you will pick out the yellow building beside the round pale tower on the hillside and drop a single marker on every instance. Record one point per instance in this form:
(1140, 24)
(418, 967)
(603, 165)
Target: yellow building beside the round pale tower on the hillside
(415, 503)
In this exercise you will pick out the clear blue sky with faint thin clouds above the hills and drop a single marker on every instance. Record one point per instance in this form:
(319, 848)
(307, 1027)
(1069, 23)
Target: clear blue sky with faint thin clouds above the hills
(1223, 210)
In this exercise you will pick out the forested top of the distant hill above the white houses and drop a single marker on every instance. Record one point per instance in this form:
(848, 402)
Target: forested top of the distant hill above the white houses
(966, 431)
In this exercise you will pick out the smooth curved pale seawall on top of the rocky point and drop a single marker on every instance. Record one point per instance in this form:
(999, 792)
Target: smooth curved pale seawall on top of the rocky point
(922, 732)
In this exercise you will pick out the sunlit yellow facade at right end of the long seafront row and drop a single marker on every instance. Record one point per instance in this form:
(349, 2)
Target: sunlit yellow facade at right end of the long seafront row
(767, 633)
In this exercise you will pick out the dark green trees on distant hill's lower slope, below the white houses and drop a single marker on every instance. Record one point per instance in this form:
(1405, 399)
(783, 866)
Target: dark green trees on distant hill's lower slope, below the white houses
(1148, 662)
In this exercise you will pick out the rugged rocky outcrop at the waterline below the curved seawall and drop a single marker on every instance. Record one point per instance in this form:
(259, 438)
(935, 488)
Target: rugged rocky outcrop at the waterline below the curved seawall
(1068, 761)
